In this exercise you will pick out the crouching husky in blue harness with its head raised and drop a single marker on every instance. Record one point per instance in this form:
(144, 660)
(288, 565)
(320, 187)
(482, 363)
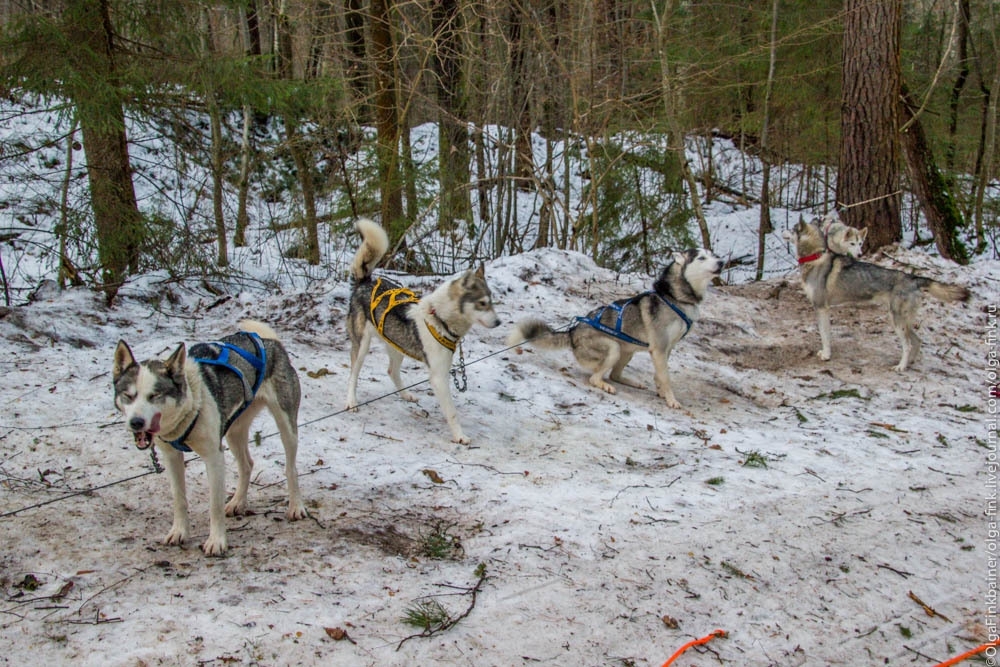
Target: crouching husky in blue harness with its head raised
(605, 340)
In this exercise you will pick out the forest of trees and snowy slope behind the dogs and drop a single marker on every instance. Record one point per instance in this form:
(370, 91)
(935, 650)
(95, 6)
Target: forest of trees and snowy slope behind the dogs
(883, 110)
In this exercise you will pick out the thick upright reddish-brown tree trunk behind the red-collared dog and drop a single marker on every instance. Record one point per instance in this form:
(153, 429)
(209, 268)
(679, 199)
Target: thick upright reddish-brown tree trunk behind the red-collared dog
(868, 184)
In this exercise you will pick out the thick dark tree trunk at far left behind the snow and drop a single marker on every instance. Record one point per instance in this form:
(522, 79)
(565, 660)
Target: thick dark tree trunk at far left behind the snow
(102, 122)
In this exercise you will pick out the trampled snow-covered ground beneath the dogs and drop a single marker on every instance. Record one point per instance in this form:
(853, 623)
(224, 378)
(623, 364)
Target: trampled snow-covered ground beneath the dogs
(611, 530)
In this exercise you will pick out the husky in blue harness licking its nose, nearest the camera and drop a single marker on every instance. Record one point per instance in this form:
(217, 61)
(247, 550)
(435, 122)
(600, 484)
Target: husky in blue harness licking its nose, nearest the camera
(197, 396)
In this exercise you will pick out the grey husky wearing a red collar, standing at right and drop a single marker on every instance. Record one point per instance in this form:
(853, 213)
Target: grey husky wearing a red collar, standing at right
(831, 279)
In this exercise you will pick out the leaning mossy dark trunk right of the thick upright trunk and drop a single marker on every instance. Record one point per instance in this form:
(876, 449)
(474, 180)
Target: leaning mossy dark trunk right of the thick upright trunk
(930, 187)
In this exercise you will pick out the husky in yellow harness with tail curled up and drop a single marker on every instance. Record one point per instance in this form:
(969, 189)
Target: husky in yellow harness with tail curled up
(427, 329)
